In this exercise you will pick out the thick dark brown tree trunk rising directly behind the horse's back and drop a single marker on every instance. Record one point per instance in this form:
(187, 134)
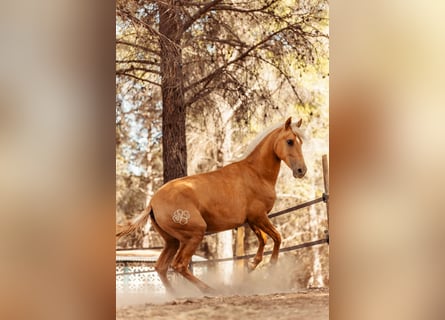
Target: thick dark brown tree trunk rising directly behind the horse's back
(174, 149)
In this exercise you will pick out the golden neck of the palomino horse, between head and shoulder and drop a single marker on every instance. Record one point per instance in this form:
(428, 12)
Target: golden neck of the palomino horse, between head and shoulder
(263, 159)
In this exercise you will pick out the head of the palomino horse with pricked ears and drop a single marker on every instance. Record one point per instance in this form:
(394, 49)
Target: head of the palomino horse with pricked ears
(288, 148)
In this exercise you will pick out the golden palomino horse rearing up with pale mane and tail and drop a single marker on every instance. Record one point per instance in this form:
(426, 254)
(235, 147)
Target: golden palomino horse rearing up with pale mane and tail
(184, 209)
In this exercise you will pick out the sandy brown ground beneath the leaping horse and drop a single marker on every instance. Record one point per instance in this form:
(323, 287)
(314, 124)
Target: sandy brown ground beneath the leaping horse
(310, 304)
